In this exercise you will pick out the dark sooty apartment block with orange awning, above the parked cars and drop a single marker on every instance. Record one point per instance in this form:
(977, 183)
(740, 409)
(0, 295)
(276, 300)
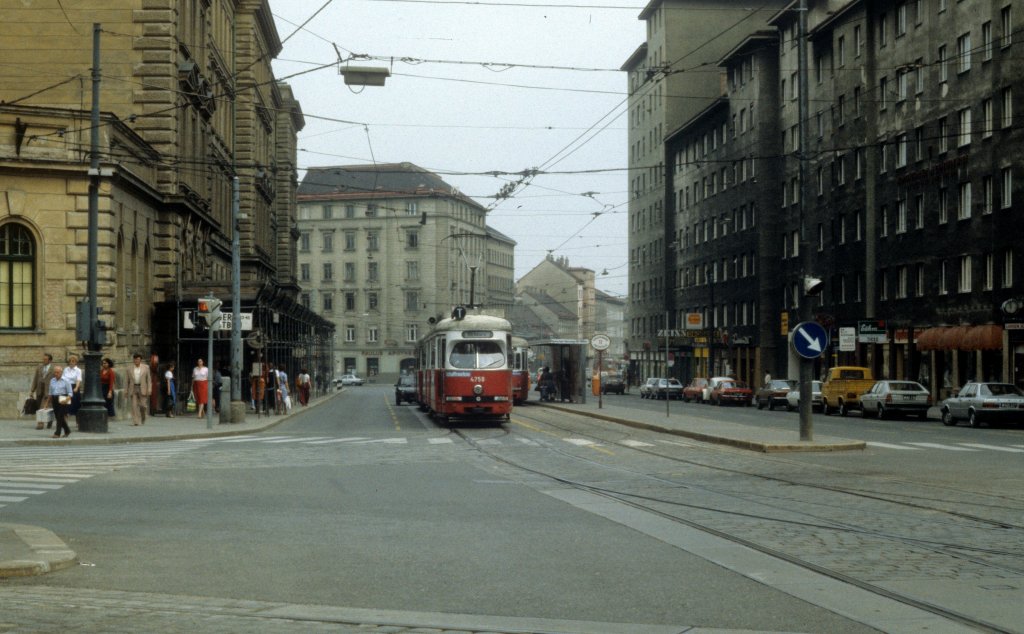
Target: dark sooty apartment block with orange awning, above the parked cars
(908, 206)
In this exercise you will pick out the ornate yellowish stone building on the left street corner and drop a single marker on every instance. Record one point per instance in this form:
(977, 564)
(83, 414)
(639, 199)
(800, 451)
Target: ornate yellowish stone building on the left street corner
(188, 103)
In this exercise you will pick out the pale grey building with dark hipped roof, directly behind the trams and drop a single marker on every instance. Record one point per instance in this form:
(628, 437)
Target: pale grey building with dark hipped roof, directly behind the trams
(385, 250)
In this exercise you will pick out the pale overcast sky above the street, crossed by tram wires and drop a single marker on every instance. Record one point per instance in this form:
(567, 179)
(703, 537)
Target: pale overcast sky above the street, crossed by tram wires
(480, 88)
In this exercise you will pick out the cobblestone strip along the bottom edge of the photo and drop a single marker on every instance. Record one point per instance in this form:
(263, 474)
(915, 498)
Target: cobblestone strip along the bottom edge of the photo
(39, 609)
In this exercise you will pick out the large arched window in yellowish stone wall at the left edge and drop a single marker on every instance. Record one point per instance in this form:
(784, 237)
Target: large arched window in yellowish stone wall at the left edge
(18, 275)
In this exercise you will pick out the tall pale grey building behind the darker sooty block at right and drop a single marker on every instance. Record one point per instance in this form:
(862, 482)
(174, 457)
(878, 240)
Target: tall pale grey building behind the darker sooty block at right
(672, 77)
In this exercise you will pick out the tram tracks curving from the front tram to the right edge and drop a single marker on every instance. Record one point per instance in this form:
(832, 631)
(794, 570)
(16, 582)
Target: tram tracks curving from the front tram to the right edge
(813, 523)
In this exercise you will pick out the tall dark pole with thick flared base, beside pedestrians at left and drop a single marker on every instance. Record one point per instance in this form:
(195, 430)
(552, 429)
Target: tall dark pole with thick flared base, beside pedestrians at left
(93, 415)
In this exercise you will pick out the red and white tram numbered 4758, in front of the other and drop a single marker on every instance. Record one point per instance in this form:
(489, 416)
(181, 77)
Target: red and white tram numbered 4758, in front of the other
(466, 368)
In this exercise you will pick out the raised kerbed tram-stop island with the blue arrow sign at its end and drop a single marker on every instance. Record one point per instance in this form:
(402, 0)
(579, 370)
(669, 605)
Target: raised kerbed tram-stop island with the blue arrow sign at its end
(704, 424)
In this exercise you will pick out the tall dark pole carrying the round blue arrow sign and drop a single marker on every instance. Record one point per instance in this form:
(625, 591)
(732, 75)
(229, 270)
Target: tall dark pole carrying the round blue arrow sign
(806, 365)
